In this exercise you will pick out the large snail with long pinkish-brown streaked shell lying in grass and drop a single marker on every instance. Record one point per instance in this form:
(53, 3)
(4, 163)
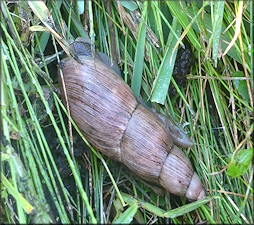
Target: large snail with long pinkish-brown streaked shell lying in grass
(121, 127)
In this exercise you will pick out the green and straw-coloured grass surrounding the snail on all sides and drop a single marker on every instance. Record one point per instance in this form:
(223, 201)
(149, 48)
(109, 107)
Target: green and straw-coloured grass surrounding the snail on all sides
(215, 109)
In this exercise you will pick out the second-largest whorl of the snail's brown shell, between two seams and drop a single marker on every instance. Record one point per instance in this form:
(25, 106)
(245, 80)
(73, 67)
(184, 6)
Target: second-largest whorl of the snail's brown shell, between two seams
(145, 144)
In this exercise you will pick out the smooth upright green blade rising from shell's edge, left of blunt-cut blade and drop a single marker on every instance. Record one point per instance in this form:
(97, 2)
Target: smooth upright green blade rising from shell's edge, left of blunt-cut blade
(139, 56)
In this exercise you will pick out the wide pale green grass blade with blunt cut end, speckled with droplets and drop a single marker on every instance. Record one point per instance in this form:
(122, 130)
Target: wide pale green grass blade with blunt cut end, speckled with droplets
(161, 83)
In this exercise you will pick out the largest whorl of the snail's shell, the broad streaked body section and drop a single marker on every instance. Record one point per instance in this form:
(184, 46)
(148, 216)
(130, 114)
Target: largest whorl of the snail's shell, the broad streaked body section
(100, 105)
